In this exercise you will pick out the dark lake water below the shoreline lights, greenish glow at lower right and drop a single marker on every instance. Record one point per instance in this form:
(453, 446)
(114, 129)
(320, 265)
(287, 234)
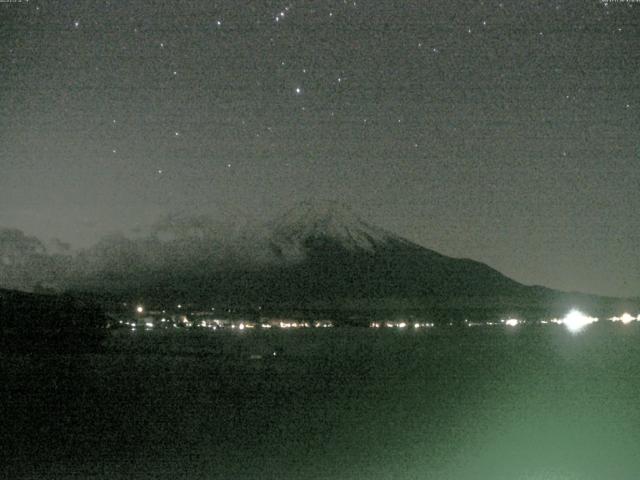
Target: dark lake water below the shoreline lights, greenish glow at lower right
(481, 403)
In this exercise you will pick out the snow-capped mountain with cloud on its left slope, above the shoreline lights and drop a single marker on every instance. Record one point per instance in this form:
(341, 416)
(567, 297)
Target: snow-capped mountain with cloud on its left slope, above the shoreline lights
(315, 255)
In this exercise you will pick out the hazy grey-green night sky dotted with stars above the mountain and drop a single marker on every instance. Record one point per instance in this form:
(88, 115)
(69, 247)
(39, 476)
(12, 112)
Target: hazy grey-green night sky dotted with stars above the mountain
(503, 131)
